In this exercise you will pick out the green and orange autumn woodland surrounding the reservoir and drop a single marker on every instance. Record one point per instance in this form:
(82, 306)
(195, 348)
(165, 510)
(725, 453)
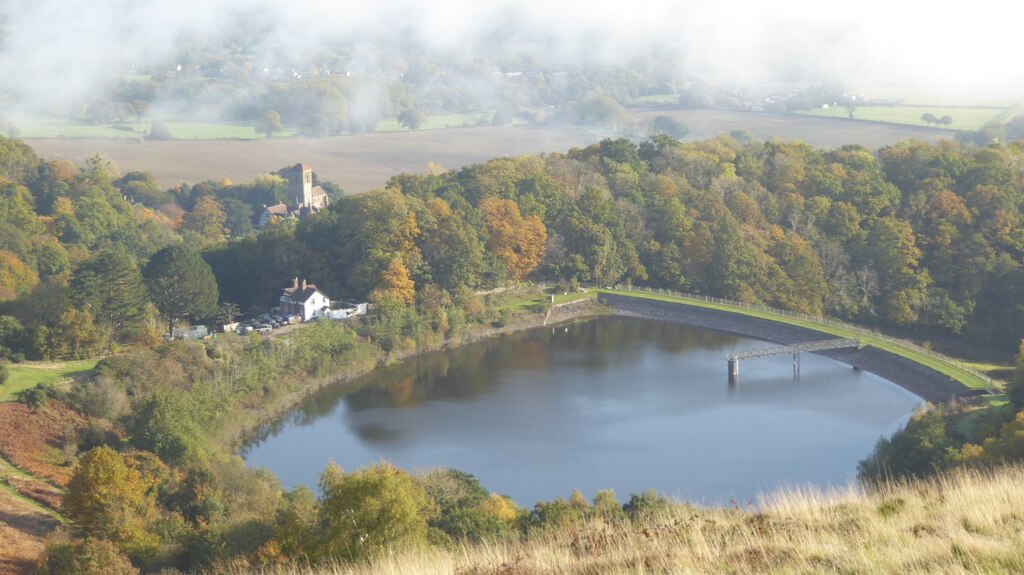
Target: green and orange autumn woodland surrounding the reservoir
(918, 237)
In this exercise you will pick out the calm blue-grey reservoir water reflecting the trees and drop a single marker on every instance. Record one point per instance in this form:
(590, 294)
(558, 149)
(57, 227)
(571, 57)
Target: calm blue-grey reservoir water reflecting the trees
(613, 403)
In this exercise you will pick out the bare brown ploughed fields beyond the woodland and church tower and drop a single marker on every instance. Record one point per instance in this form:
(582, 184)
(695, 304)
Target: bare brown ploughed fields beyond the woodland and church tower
(366, 162)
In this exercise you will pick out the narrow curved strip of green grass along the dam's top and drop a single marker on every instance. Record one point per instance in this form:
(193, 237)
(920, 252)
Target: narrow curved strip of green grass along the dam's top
(954, 370)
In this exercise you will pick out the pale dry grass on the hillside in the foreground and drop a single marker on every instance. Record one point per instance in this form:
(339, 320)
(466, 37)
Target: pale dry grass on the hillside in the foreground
(970, 522)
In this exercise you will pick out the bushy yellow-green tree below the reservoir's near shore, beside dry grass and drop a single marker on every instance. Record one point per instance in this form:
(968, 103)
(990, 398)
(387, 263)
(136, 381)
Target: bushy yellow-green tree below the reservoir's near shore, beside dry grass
(370, 511)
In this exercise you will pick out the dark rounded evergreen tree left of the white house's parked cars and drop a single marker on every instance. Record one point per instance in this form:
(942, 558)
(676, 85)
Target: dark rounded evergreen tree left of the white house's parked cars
(182, 285)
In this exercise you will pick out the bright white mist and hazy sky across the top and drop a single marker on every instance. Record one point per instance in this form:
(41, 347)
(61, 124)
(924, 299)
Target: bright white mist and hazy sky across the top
(60, 51)
